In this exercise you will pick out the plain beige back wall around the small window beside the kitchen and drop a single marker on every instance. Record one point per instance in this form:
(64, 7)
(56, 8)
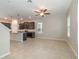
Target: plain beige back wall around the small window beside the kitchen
(54, 26)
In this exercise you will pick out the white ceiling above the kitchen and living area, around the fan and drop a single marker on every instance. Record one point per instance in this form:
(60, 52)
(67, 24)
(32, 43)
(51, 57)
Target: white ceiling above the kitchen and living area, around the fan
(24, 9)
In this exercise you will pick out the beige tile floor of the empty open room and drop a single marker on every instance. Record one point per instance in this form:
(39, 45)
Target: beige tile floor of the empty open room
(40, 49)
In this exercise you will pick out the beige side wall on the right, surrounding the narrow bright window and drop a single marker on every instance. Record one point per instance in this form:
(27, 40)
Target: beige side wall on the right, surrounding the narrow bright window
(73, 26)
